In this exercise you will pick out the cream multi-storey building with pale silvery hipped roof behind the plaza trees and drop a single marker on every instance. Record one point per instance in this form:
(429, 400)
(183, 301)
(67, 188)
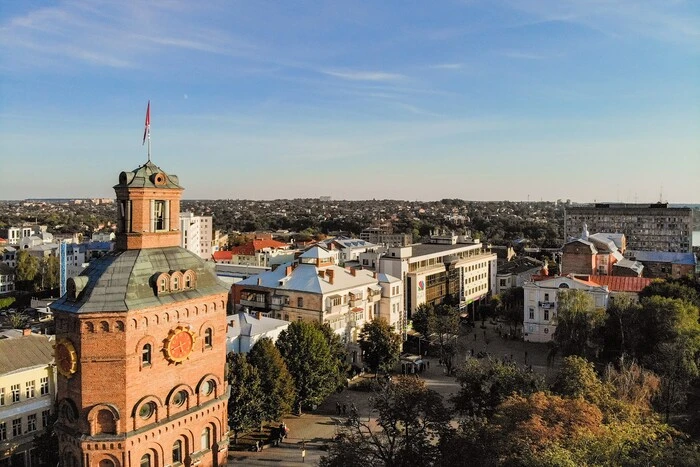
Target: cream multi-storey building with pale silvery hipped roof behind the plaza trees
(314, 288)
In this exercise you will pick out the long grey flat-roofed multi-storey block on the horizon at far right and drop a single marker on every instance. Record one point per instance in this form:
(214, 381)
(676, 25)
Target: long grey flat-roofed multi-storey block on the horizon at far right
(648, 227)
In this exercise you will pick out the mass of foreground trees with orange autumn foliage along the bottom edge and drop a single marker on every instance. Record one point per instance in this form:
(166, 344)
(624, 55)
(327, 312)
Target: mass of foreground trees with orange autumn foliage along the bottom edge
(508, 416)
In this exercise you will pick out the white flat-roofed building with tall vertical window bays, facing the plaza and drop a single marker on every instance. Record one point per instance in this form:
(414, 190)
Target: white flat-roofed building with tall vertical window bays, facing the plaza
(451, 263)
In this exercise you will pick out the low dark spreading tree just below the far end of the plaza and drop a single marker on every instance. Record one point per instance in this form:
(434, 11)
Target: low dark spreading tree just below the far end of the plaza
(486, 384)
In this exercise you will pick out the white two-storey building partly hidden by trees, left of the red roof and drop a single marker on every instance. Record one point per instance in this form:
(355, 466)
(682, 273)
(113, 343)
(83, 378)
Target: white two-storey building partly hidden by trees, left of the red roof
(541, 304)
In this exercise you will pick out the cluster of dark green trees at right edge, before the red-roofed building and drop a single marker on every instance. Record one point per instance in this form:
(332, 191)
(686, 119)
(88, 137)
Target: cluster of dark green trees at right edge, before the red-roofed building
(661, 332)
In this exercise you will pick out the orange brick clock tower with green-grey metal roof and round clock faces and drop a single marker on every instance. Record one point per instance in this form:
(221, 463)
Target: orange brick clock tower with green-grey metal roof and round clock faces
(141, 343)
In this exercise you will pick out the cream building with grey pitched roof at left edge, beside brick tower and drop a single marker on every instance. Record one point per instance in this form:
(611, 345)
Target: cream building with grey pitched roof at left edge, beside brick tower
(27, 396)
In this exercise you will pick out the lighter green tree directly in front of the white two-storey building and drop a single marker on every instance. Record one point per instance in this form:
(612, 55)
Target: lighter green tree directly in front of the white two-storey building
(579, 323)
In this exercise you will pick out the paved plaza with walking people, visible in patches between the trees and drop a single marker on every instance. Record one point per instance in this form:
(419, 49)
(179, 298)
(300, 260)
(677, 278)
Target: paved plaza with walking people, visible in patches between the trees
(316, 429)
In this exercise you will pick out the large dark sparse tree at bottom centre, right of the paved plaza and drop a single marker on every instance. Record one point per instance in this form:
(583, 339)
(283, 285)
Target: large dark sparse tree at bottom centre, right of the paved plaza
(410, 421)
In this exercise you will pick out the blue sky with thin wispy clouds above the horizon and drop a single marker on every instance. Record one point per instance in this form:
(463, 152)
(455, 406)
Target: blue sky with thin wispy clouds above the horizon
(485, 100)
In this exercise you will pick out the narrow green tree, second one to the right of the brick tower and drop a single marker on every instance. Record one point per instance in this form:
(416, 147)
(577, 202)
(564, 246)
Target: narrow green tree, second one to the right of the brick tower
(276, 384)
